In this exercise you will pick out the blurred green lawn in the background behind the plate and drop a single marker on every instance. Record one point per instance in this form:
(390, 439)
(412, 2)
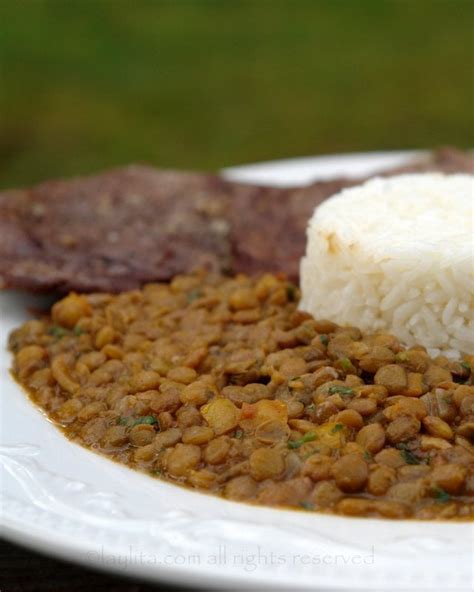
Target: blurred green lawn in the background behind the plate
(203, 84)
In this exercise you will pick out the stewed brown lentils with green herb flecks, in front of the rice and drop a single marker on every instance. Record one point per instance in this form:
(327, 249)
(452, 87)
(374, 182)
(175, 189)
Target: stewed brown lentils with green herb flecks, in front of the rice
(223, 385)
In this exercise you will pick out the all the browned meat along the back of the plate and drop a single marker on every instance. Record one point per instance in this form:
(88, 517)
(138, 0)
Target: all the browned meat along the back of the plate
(123, 228)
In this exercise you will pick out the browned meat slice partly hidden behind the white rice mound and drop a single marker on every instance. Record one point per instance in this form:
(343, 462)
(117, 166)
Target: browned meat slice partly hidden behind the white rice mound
(268, 226)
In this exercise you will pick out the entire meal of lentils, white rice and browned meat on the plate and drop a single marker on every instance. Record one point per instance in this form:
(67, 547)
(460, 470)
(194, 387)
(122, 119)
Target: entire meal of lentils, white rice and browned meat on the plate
(227, 383)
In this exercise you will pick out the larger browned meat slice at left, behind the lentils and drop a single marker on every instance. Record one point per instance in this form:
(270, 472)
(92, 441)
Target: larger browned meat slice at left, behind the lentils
(113, 231)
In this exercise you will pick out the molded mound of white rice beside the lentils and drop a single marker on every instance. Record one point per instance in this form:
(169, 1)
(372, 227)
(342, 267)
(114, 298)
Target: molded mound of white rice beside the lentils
(396, 255)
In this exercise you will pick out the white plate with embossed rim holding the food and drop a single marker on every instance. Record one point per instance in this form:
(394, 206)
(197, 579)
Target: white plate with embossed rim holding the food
(63, 500)
